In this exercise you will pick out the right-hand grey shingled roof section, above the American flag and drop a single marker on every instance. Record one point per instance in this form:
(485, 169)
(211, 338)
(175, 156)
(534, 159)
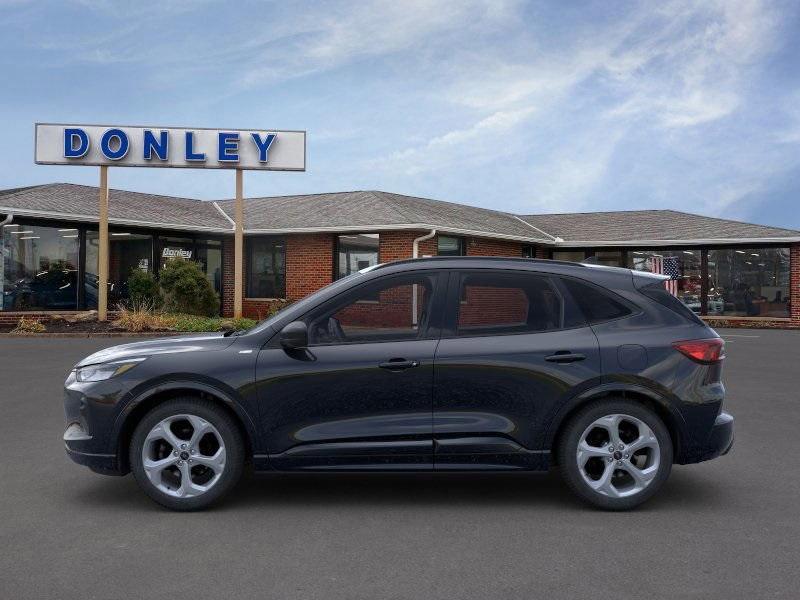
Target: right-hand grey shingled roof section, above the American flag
(635, 227)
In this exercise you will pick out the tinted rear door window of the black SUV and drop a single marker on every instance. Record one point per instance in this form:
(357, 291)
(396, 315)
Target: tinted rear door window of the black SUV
(505, 303)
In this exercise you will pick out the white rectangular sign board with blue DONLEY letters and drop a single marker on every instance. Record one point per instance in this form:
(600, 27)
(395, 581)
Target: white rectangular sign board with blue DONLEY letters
(122, 146)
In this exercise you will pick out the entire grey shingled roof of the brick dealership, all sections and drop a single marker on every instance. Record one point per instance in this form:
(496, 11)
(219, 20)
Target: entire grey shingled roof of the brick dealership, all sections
(364, 211)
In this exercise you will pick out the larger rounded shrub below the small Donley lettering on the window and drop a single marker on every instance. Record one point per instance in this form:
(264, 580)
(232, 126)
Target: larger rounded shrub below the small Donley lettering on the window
(186, 290)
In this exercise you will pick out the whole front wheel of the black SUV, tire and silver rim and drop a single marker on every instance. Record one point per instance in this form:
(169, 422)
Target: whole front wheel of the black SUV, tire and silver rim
(187, 453)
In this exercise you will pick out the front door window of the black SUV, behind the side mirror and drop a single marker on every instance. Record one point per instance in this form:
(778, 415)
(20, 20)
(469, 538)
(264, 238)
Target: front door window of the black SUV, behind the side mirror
(387, 310)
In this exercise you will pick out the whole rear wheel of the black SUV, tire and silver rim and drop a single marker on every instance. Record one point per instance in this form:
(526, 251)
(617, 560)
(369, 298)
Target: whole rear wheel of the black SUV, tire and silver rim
(615, 454)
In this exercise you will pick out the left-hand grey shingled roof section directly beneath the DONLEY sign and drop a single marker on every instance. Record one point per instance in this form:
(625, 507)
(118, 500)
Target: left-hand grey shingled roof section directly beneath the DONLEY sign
(79, 202)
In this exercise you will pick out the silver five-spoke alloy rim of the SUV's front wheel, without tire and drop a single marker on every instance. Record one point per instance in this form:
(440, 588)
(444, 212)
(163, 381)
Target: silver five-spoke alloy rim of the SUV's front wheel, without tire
(184, 456)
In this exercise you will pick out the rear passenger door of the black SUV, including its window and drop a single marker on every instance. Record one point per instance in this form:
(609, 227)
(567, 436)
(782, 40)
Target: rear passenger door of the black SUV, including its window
(513, 348)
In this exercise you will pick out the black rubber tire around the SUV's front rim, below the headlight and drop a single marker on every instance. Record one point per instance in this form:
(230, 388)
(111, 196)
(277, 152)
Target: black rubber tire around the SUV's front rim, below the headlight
(228, 430)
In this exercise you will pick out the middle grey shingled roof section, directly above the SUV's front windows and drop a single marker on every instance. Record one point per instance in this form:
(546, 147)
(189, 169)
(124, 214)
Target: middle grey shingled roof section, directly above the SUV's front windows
(374, 210)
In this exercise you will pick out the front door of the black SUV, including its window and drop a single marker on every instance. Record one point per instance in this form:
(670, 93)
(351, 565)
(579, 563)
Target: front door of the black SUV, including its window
(360, 396)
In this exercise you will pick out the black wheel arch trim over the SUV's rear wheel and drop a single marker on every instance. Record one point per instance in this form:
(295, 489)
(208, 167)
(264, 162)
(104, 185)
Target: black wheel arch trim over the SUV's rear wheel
(671, 418)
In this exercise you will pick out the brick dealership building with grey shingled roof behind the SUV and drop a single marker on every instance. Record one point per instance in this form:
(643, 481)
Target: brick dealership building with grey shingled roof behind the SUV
(729, 272)
